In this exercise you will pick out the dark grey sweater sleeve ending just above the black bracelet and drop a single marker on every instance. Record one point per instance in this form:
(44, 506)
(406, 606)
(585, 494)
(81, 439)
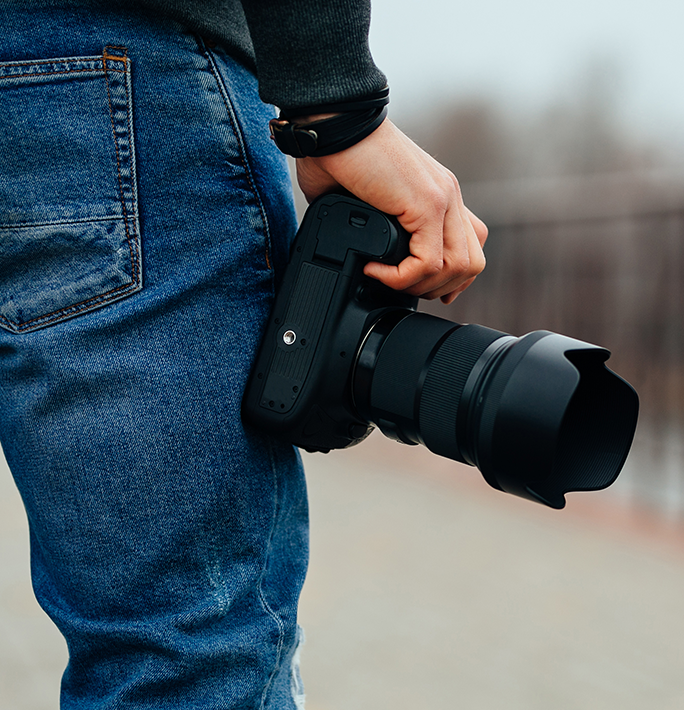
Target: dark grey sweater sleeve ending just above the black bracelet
(311, 52)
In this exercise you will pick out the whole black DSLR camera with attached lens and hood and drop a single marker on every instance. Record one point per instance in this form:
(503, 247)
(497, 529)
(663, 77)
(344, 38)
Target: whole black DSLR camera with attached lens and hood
(539, 415)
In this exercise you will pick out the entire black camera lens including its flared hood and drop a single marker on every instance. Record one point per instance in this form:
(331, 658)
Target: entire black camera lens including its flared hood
(539, 415)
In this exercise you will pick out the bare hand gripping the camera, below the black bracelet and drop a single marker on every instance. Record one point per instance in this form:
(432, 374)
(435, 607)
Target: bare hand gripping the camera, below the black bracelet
(390, 172)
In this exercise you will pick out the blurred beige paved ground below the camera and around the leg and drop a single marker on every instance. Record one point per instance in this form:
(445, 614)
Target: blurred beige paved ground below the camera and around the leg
(429, 590)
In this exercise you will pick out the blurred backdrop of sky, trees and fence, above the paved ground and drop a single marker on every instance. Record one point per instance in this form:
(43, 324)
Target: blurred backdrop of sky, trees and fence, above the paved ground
(565, 127)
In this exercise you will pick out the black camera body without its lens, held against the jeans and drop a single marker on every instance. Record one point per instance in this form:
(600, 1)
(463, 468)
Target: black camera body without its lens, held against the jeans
(300, 386)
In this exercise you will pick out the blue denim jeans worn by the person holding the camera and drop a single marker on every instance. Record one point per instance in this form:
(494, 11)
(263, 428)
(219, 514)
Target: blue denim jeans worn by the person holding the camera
(144, 218)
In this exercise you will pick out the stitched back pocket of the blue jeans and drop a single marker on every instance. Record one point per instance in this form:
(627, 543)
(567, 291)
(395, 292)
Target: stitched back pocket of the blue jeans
(69, 234)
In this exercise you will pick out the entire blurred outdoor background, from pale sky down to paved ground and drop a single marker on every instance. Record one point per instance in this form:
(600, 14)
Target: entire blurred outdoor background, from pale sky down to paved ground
(565, 125)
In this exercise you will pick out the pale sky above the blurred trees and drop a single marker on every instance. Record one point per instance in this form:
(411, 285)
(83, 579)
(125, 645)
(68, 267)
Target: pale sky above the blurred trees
(531, 52)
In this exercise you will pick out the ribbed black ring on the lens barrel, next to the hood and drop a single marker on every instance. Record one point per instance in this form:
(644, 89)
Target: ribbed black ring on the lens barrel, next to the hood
(444, 383)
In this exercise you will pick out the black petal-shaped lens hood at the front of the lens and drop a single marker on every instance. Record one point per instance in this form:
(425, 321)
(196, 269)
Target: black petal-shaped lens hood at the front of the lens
(550, 418)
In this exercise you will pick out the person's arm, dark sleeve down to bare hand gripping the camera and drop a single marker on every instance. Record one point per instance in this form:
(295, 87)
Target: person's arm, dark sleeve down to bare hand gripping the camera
(315, 54)
